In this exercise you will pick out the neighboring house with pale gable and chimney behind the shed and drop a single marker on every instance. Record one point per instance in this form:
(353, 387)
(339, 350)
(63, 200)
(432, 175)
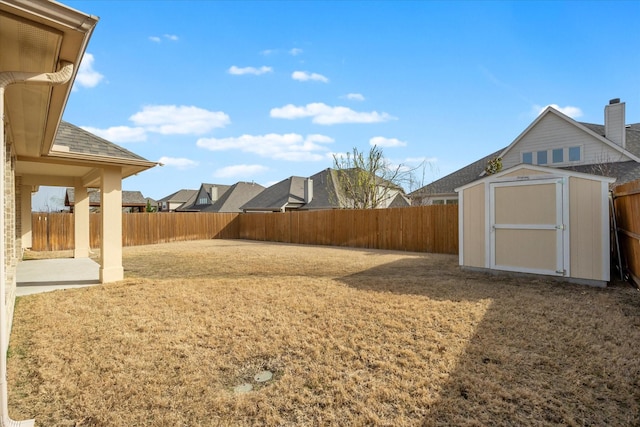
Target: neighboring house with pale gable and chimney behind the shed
(556, 140)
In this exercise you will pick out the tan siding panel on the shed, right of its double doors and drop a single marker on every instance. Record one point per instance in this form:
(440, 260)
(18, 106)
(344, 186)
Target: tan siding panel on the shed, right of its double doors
(585, 207)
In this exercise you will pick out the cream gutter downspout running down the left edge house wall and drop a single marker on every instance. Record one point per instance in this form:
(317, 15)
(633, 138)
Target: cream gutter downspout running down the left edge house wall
(7, 78)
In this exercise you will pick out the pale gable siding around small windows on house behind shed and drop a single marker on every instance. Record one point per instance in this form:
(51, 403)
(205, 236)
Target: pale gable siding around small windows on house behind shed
(553, 132)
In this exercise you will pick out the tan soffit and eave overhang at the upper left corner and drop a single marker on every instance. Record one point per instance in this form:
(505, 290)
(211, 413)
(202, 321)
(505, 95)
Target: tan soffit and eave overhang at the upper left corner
(35, 36)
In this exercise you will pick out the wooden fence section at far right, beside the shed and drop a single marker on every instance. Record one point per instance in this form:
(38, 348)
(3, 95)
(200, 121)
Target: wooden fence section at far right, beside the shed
(626, 198)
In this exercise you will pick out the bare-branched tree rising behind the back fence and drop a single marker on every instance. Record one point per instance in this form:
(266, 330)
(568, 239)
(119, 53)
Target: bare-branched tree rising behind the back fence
(367, 180)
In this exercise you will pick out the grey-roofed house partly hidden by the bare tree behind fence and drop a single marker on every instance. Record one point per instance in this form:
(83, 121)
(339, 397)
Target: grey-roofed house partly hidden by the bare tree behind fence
(319, 191)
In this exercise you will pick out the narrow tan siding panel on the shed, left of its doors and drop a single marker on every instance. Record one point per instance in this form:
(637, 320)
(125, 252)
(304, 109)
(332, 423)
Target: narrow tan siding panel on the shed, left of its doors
(474, 226)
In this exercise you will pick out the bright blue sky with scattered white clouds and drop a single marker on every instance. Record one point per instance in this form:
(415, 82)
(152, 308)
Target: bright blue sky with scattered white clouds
(227, 91)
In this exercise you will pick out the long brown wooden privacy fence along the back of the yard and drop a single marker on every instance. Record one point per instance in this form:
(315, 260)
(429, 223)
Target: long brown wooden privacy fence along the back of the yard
(420, 229)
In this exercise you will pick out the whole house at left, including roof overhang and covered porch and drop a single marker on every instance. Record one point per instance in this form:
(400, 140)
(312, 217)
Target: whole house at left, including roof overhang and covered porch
(43, 43)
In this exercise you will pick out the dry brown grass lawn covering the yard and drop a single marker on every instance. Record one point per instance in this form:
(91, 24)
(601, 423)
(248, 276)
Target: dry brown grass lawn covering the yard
(354, 337)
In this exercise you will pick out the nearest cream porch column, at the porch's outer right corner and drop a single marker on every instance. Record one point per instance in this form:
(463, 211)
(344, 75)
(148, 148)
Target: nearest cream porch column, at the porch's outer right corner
(111, 226)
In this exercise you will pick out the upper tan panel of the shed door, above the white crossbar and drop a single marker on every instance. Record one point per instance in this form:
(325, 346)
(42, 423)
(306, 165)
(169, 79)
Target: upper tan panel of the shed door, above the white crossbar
(513, 208)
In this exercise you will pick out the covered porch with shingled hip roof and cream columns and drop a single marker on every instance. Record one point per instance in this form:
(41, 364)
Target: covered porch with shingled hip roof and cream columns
(81, 160)
